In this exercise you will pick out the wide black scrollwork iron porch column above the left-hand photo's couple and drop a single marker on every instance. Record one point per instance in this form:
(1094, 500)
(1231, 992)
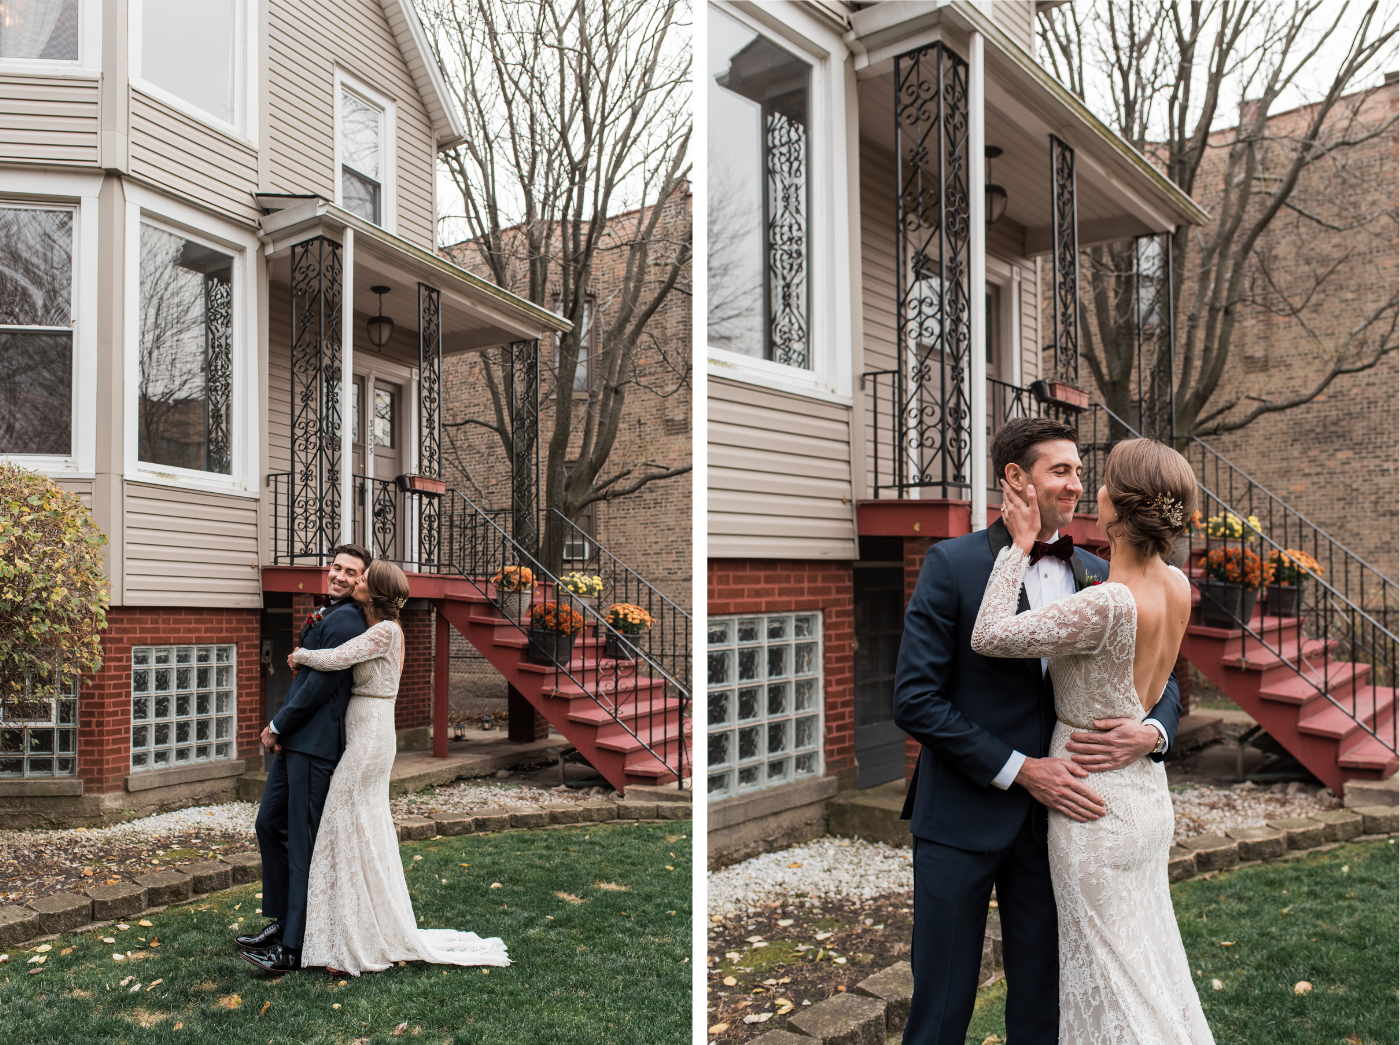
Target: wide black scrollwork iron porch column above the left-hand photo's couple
(317, 295)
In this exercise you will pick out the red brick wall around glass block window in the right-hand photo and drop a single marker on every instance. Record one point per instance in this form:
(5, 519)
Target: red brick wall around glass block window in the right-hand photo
(772, 586)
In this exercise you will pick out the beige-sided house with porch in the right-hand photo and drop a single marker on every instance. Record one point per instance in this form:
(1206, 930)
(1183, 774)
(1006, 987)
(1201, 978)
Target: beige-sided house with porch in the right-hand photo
(894, 186)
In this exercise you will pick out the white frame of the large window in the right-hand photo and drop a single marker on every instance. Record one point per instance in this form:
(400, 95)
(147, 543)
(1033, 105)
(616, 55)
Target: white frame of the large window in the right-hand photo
(831, 279)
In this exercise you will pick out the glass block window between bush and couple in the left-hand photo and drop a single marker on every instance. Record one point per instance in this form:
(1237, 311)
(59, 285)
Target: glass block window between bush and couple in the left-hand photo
(183, 705)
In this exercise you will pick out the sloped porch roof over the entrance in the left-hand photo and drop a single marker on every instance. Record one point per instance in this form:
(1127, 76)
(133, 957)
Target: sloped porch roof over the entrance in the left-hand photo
(477, 314)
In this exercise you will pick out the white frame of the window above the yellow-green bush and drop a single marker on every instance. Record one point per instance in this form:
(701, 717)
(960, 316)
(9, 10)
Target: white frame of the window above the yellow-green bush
(78, 193)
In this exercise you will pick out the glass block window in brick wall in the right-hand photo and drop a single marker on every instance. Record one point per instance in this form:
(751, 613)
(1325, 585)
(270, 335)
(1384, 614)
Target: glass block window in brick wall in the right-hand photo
(765, 701)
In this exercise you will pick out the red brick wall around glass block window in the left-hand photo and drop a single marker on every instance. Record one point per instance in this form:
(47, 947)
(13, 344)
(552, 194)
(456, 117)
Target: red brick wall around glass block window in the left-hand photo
(106, 703)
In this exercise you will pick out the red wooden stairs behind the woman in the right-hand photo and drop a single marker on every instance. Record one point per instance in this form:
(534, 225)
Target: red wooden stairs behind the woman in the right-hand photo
(1284, 684)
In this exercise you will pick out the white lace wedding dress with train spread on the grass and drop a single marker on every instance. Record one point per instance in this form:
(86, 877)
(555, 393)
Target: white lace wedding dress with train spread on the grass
(359, 914)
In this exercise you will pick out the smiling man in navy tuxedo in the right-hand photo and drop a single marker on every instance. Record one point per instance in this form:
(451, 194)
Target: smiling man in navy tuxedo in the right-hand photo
(978, 803)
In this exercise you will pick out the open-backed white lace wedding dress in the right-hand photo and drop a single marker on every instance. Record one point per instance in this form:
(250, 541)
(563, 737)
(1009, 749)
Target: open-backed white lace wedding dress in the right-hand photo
(1123, 971)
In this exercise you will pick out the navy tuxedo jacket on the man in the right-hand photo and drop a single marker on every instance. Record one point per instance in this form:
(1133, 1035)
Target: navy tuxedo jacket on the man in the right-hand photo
(971, 712)
